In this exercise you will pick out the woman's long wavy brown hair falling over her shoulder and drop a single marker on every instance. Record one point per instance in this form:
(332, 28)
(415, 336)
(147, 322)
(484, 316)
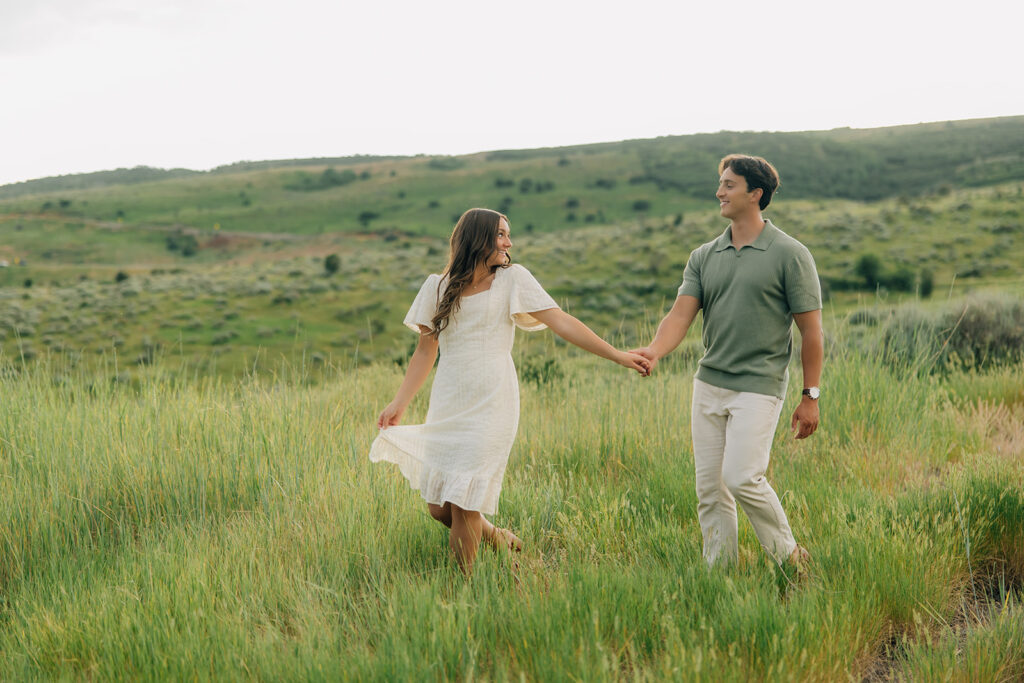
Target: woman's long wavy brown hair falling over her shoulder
(474, 240)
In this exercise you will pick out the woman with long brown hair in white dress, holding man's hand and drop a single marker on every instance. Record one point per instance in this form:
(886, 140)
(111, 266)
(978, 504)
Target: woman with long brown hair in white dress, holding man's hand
(457, 459)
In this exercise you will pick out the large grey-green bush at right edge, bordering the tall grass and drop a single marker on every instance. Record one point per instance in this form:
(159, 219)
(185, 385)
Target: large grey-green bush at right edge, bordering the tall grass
(976, 333)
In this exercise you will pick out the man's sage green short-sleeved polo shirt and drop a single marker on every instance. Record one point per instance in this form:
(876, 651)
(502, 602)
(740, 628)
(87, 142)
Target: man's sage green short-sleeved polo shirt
(749, 298)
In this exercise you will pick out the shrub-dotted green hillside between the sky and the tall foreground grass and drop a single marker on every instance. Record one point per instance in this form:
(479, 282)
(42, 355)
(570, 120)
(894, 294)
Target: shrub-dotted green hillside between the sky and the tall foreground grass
(223, 268)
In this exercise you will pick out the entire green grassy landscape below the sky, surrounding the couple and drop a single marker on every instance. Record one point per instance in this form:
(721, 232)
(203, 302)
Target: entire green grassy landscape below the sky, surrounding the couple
(188, 397)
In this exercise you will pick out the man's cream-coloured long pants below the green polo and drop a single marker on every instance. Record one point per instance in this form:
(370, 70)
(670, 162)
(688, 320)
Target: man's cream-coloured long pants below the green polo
(733, 437)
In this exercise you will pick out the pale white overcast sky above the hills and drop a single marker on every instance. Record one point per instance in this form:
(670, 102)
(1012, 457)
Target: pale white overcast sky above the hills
(90, 86)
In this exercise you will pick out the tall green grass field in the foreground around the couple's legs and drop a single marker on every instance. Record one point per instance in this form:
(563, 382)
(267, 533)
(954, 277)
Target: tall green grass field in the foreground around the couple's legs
(202, 529)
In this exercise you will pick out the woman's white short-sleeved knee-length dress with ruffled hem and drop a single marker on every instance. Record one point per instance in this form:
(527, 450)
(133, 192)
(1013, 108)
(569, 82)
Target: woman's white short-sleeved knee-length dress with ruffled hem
(460, 454)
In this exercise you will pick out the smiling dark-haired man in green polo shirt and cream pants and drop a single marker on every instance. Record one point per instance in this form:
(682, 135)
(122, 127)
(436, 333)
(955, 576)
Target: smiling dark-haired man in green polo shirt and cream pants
(752, 283)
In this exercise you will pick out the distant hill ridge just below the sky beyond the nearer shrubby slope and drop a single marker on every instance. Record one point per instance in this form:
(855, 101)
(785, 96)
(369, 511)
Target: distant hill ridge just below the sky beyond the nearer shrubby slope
(541, 190)
